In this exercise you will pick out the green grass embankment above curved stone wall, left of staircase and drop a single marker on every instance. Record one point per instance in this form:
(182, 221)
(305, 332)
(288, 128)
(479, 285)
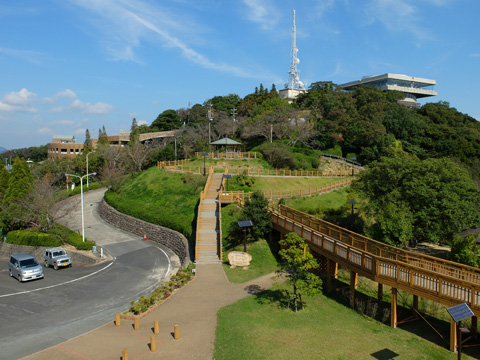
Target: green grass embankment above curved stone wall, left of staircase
(161, 198)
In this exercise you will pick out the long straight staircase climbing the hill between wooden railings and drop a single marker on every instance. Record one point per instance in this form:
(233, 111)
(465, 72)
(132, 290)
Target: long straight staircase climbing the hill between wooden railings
(208, 225)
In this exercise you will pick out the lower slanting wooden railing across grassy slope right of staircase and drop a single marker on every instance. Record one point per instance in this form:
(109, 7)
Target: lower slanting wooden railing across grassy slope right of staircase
(240, 196)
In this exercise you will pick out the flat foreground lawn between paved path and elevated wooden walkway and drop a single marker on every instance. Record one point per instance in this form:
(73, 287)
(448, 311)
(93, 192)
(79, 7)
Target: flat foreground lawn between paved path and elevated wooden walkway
(259, 328)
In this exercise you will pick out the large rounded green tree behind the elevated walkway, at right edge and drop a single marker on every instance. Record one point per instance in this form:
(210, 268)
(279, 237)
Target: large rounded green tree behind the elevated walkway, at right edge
(429, 200)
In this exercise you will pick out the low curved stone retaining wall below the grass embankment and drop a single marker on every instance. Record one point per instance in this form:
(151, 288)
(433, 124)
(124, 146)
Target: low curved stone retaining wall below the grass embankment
(170, 238)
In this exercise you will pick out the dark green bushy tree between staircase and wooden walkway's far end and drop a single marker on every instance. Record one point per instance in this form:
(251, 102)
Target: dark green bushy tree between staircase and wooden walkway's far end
(255, 209)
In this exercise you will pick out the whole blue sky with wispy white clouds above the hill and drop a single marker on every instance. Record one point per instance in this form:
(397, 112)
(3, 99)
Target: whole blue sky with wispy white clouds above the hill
(69, 65)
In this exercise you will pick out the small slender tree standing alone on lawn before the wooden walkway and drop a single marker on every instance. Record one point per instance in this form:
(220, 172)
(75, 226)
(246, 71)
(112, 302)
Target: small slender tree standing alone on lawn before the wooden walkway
(297, 266)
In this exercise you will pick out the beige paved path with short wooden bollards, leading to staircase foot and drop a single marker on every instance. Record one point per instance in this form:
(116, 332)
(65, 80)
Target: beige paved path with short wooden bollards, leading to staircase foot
(193, 308)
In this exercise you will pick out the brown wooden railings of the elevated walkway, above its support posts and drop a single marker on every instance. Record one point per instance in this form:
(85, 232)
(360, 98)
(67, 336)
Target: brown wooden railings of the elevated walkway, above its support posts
(442, 281)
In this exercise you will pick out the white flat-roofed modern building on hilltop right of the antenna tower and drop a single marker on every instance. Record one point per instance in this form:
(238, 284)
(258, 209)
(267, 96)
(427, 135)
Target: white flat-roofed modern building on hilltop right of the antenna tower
(412, 87)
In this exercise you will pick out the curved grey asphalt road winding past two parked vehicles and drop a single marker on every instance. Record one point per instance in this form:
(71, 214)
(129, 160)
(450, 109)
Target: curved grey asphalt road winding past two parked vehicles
(69, 302)
